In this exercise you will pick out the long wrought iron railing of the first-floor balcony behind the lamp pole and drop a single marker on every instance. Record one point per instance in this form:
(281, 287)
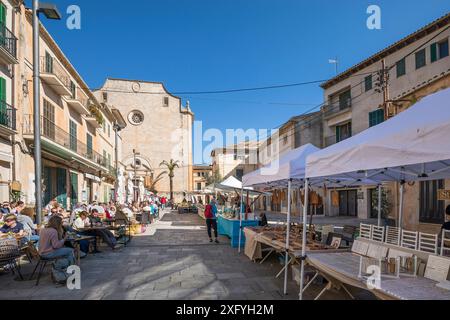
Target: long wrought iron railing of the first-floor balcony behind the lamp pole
(56, 134)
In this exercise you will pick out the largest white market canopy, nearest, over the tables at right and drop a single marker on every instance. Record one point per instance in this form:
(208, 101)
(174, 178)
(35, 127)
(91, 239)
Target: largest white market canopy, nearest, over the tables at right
(414, 145)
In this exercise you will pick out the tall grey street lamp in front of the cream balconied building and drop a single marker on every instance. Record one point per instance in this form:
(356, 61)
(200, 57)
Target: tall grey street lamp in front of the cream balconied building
(51, 12)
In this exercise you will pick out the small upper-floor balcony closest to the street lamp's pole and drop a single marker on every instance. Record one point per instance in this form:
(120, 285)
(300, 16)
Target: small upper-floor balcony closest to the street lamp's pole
(54, 75)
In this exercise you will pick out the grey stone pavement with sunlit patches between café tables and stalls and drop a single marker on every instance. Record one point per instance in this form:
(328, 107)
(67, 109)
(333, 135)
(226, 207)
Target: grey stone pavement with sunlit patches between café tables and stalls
(172, 260)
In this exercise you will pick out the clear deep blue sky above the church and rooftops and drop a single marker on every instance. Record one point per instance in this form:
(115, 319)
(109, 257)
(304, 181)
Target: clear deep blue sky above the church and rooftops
(203, 45)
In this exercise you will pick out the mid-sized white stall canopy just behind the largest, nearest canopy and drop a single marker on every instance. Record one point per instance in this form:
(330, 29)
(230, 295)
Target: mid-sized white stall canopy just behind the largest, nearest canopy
(289, 166)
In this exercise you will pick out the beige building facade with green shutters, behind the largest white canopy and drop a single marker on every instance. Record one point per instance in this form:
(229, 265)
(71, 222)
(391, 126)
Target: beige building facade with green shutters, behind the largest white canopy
(417, 66)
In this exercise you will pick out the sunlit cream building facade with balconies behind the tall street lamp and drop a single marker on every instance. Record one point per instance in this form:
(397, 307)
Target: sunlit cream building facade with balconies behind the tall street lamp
(73, 167)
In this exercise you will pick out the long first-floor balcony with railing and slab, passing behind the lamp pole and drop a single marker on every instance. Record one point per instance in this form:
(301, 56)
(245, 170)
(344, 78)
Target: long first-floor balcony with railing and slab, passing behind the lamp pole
(60, 143)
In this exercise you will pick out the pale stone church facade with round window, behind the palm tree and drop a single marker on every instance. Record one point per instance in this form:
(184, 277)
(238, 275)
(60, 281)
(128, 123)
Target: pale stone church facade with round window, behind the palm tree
(159, 129)
